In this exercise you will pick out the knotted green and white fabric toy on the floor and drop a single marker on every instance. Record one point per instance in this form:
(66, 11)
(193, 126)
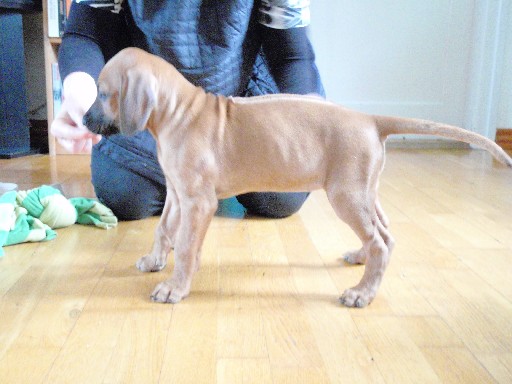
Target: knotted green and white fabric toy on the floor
(34, 214)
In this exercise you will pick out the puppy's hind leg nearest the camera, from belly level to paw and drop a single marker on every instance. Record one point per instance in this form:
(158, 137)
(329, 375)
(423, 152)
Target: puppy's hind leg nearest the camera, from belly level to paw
(358, 210)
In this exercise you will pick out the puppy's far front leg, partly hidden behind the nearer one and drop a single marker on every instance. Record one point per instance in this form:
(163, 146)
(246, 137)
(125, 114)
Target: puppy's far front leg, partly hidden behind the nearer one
(165, 235)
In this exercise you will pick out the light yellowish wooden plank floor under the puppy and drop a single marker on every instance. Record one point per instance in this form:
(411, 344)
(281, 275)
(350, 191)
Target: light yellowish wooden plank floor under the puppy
(263, 307)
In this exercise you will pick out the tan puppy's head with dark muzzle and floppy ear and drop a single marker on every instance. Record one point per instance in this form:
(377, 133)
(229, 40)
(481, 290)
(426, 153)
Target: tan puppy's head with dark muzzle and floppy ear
(127, 96)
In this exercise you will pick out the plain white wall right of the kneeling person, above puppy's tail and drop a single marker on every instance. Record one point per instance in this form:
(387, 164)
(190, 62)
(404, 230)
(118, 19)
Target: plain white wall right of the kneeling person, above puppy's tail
(401, 57)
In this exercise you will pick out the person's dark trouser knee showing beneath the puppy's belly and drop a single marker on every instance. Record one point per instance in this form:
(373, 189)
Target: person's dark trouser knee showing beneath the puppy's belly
(272, 204)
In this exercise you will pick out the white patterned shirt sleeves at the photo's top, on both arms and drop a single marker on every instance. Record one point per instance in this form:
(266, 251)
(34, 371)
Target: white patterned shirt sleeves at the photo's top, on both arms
(278, 14)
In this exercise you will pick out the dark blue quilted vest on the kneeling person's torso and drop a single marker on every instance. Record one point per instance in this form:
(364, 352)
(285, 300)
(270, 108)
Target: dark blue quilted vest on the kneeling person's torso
(213, 43)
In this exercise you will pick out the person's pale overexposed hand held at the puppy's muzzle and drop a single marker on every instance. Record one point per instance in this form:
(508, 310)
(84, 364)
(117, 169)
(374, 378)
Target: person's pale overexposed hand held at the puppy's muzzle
(79, 93)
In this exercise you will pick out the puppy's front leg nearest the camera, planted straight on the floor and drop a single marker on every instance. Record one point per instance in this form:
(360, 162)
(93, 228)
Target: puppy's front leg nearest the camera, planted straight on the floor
(196, 215)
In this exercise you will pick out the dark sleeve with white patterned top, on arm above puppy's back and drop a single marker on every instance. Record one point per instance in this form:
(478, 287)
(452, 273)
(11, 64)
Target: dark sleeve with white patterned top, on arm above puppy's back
(289, 53)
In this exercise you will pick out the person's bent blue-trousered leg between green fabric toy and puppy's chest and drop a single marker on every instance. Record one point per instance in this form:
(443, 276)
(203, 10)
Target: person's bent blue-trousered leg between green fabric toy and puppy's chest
(127, 178)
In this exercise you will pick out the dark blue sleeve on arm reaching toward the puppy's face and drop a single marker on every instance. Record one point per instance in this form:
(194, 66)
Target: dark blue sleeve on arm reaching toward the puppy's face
(92, 36)
